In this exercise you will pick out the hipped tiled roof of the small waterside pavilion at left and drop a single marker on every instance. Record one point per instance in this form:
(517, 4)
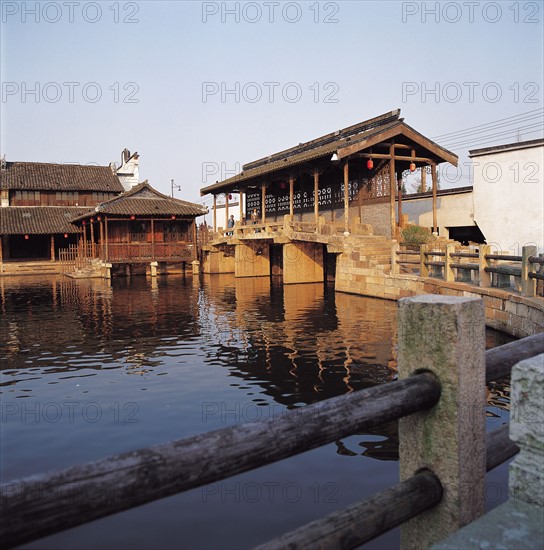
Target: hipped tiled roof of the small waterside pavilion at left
(143, 200)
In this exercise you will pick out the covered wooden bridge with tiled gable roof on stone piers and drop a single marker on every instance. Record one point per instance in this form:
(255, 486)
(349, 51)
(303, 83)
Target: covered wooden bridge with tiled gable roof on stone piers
(301, 204)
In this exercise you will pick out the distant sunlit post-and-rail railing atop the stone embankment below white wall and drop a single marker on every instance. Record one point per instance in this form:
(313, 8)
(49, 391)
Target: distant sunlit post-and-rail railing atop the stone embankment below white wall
(476, 266)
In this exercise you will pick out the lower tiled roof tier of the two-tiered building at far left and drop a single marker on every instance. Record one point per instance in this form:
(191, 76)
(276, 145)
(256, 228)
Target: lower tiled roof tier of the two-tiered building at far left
(38, 220)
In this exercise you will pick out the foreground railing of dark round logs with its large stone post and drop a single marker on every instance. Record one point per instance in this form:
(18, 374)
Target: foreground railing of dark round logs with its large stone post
(444, 391)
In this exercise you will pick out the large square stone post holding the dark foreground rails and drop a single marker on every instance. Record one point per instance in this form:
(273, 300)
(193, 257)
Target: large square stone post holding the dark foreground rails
(446, 336)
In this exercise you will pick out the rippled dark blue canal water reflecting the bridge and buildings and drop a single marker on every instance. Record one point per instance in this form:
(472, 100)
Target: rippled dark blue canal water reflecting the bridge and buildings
(90, 369)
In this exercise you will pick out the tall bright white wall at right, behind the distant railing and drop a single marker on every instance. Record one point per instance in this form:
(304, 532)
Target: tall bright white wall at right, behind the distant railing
(509, 198)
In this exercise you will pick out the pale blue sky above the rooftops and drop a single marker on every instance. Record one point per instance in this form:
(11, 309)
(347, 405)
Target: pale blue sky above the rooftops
(154, 77)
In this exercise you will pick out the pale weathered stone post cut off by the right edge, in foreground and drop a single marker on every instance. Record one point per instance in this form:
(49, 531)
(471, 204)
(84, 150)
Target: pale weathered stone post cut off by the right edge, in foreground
(526, 475)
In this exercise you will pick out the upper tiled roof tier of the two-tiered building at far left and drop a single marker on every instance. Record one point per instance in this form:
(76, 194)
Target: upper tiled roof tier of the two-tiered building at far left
(42, 176)
